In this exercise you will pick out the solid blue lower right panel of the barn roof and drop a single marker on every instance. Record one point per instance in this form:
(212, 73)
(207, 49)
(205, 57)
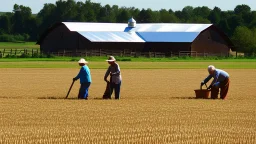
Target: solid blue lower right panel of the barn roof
(168, 36)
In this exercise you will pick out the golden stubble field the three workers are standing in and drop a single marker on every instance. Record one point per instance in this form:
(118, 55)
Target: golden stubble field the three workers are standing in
(156, 106)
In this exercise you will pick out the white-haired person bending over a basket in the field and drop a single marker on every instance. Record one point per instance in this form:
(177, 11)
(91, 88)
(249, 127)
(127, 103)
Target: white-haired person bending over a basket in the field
(221, 81)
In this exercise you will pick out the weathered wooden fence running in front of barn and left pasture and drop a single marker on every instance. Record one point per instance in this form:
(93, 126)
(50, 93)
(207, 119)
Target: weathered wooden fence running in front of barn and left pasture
(122, 53)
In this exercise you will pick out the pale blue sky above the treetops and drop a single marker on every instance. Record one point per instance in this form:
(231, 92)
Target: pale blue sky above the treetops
(37, 5)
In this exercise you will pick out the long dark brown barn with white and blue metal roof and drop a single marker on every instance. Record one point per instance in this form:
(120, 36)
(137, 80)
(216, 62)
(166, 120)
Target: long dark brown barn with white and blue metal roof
(166, 38)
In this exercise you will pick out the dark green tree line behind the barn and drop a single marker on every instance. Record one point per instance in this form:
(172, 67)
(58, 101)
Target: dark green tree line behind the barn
(21, 25)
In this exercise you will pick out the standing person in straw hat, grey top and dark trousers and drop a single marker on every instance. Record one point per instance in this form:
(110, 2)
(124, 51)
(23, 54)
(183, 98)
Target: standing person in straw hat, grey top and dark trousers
(115, 76)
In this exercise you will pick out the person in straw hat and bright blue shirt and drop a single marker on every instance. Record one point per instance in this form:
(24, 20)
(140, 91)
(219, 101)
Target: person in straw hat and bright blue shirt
(85, 79)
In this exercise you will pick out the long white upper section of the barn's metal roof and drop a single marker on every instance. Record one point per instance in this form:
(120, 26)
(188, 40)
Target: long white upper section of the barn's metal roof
(147, 27)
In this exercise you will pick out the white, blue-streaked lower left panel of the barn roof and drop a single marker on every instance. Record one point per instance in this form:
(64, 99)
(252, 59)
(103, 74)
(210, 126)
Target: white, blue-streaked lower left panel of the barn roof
(111, 36)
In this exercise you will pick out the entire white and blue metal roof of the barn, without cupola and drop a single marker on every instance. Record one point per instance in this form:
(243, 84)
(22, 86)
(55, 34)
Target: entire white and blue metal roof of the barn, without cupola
(155, 32)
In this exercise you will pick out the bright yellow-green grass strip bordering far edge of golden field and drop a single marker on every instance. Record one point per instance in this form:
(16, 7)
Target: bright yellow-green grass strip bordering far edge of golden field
(131, 65)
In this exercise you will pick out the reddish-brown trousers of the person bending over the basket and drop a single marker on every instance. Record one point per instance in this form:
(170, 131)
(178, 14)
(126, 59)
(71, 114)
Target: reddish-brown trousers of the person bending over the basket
(224, 86)
